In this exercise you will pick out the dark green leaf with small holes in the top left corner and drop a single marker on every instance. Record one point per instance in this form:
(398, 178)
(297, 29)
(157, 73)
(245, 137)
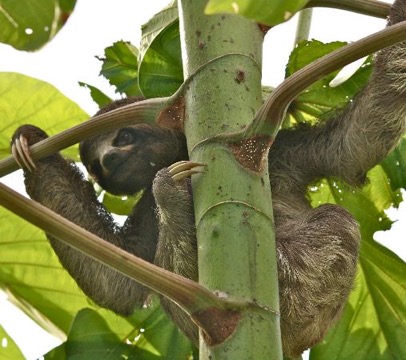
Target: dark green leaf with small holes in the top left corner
(30, 24)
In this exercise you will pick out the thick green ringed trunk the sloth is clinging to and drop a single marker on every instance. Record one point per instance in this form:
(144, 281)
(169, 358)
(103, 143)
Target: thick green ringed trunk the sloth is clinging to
(222, 55)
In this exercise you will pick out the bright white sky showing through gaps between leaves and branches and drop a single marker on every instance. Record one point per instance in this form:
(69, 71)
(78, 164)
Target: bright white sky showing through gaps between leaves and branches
(94, 25)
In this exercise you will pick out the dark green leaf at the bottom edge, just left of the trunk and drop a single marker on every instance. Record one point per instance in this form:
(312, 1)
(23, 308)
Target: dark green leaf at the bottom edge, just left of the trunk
(147, 334)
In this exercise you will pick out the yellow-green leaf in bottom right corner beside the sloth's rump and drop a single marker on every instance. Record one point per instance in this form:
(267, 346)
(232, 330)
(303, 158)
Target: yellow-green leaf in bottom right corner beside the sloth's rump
(373, 325)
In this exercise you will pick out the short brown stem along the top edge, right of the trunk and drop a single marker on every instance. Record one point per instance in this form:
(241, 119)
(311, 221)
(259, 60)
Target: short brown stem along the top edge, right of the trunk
(365, 7)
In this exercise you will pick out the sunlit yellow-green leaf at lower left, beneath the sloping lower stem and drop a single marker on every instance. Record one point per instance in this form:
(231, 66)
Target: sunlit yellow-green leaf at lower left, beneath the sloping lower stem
(32, 274)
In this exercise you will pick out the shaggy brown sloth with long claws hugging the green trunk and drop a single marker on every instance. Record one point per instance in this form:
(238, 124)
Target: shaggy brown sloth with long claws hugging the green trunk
(317, 248)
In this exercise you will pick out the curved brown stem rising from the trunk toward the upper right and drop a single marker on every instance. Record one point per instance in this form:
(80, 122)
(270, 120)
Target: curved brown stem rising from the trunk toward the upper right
(269, 117)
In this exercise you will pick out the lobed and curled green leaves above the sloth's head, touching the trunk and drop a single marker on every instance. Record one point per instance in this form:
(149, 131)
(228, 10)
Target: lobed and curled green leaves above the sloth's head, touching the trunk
(156, 69)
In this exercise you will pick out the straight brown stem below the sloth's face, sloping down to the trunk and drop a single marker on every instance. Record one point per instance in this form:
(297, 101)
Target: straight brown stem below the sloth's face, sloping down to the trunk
(191, 296)
